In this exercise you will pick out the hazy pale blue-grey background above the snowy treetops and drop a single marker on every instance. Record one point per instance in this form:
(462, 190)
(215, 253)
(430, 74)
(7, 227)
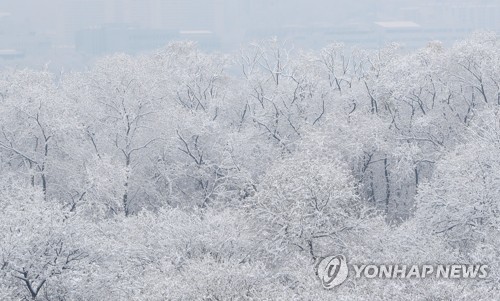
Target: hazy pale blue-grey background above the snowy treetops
(70, 33)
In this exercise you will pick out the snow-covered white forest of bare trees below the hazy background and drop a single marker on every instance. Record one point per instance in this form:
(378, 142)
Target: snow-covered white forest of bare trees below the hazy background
(184, 175)
